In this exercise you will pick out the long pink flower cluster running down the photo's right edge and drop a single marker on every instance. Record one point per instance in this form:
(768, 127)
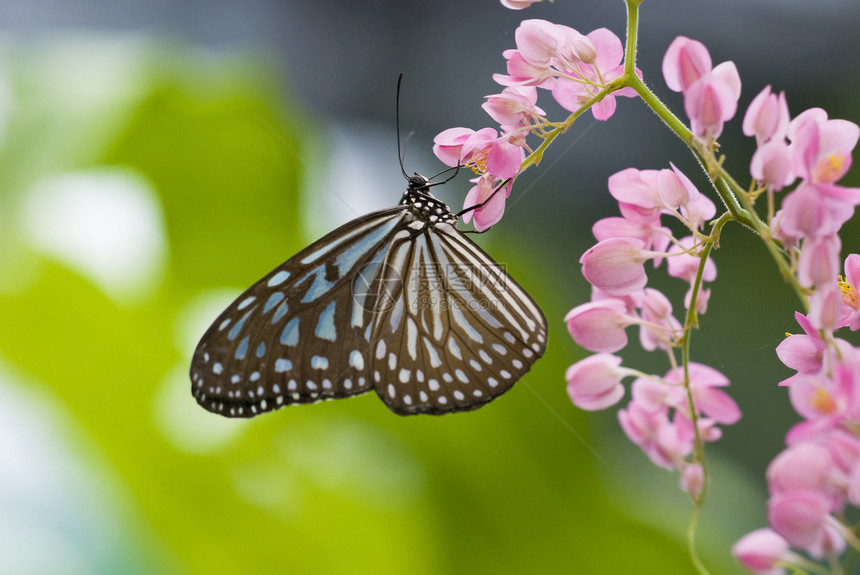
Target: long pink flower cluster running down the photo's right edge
(818, 474)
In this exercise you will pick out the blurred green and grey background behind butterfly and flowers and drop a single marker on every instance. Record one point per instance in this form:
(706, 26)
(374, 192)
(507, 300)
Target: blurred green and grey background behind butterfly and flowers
(146, 177)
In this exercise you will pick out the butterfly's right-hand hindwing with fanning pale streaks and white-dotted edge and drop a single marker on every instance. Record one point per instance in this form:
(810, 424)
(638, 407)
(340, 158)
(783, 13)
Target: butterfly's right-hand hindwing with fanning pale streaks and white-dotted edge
(462, 331)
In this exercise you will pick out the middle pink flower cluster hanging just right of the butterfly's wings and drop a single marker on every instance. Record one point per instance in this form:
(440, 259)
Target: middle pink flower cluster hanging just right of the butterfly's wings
(659, 417)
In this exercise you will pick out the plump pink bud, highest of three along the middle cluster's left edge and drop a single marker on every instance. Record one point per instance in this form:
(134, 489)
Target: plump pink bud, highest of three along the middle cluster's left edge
(616, 266)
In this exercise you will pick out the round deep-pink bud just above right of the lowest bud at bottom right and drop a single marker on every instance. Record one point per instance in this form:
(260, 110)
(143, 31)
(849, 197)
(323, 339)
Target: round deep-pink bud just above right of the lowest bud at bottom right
(799, 515)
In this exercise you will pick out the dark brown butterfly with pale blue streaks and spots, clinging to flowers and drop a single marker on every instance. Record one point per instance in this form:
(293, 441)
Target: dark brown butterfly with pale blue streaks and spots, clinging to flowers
(399, 301)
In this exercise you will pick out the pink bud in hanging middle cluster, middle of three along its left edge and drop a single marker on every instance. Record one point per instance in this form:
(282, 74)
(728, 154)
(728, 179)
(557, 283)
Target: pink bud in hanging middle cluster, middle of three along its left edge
(599, 325)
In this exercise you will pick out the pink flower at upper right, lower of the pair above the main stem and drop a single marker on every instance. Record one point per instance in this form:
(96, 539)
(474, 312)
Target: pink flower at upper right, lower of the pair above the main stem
(712, 100)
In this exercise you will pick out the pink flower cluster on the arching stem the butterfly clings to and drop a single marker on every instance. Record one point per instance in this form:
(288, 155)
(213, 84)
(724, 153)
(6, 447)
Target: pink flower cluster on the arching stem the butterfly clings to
(572, 66)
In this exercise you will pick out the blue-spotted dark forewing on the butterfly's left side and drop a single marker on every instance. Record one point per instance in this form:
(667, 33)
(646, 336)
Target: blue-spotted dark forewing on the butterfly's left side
(286, 340)
